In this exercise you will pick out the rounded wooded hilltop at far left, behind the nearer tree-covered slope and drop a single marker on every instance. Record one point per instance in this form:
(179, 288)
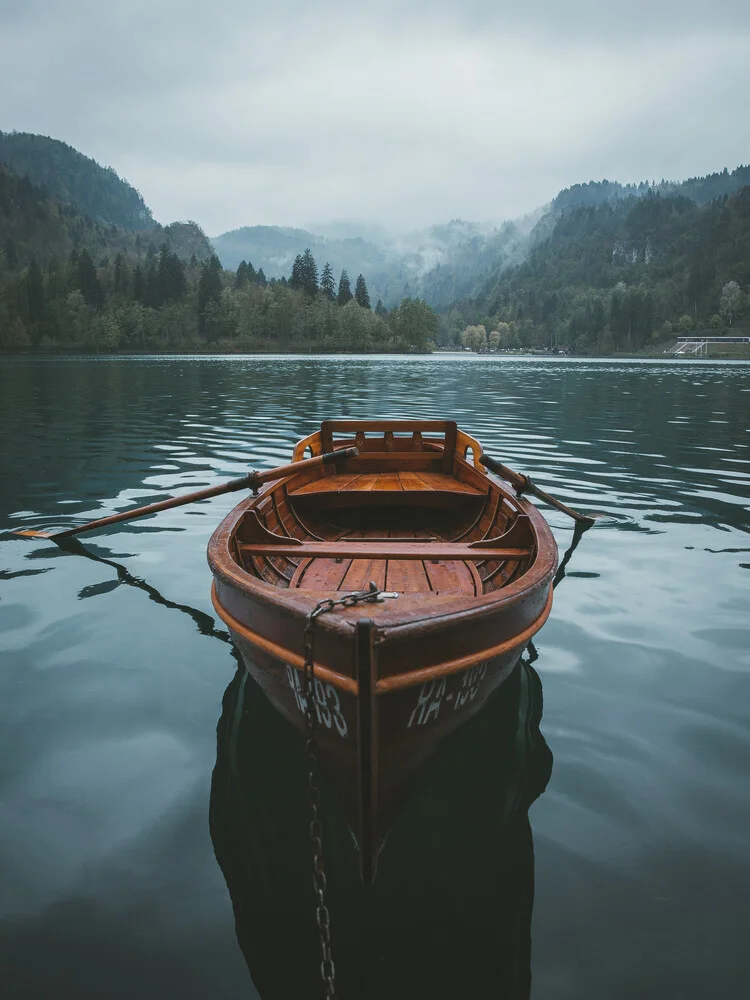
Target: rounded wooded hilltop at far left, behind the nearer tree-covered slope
(75, 179)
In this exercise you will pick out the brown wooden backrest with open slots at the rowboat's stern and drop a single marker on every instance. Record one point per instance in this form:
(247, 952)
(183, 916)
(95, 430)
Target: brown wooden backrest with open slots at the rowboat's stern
(390, 436)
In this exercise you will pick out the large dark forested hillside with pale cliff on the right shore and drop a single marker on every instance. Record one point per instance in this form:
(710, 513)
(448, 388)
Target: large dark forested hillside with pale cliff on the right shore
(619, 276)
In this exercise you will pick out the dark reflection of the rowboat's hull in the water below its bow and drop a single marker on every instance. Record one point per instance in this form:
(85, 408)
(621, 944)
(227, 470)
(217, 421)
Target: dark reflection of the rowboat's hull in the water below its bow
(450, 913)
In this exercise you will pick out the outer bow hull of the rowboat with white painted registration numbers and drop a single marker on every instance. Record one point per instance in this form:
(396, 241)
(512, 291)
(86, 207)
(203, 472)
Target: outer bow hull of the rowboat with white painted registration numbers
(377, 725)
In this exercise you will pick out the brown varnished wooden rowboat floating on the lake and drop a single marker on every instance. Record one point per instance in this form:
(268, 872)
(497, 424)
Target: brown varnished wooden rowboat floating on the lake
(469, 567)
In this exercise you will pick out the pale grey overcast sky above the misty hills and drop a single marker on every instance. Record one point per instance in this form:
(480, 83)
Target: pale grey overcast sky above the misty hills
(236, 113)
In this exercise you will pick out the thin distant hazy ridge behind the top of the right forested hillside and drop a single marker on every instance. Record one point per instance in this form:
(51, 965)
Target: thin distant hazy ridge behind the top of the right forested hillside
(701, 190)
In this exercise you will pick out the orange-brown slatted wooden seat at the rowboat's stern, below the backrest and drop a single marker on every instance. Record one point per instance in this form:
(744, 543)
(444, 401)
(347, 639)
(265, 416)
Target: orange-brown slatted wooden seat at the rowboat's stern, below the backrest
(430, 489)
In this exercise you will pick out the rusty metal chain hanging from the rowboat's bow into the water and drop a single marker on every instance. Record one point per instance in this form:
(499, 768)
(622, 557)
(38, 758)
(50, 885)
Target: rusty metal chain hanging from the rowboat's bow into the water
(320, 882)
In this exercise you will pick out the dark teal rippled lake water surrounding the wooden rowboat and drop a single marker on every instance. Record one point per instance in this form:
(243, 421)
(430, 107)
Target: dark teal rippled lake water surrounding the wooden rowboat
(114, 675)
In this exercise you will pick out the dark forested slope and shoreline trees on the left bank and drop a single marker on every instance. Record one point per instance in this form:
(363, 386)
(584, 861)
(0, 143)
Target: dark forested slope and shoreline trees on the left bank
(70, 283)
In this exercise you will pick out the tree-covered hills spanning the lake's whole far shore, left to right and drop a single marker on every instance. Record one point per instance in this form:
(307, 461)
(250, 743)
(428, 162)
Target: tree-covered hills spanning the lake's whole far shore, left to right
(607, 268)
